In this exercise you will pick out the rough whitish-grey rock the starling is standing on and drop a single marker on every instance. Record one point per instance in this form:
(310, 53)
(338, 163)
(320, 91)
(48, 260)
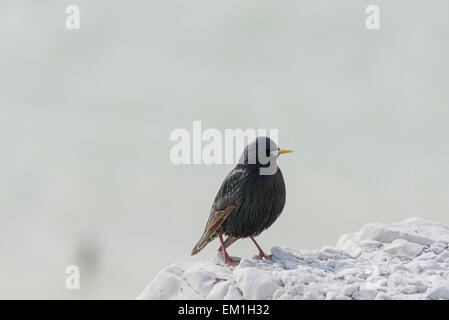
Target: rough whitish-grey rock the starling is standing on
(406, 260)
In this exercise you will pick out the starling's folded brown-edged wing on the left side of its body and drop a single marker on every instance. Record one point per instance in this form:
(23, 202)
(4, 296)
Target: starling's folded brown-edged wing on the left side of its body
(223, 205)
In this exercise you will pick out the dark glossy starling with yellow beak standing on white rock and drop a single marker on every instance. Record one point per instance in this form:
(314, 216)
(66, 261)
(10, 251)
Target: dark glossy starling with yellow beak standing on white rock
(250, 199)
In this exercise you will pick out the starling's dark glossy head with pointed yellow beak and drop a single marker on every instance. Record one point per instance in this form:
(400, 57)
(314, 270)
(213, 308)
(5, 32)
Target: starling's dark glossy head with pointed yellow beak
(262, 153)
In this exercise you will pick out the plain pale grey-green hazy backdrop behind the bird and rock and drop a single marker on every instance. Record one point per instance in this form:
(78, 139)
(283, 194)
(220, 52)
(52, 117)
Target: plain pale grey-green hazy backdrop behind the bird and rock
(85, 119)
